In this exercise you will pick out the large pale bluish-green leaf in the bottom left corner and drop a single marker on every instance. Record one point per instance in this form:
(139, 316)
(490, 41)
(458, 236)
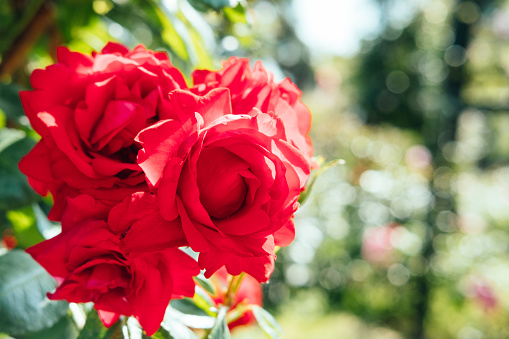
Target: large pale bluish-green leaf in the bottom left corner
(24, 306)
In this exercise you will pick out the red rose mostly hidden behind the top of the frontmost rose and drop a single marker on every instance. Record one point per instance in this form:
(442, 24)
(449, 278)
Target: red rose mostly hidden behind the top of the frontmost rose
(255, 88)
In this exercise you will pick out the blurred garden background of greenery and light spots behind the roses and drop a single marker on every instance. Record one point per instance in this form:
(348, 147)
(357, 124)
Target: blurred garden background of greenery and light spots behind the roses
(408, 236)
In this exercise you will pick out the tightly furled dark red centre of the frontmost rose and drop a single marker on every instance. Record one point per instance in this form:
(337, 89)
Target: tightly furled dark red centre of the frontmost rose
(222, 187)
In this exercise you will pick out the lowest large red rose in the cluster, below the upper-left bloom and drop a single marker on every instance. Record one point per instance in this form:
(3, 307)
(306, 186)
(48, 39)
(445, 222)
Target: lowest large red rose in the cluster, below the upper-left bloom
(90, 265)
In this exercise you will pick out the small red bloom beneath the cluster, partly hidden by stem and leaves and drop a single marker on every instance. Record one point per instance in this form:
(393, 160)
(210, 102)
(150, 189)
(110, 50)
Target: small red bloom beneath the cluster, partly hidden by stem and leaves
(249, 293)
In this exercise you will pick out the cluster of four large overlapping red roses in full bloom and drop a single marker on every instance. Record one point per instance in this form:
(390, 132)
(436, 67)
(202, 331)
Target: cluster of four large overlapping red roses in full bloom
(139, 164)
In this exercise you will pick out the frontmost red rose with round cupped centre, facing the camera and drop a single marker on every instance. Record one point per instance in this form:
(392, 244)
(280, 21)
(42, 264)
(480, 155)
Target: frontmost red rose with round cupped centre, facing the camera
(231, 182)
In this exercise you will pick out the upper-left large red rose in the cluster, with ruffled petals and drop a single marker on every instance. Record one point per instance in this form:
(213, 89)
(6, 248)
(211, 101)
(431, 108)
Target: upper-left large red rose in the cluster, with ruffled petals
(88, 109)
